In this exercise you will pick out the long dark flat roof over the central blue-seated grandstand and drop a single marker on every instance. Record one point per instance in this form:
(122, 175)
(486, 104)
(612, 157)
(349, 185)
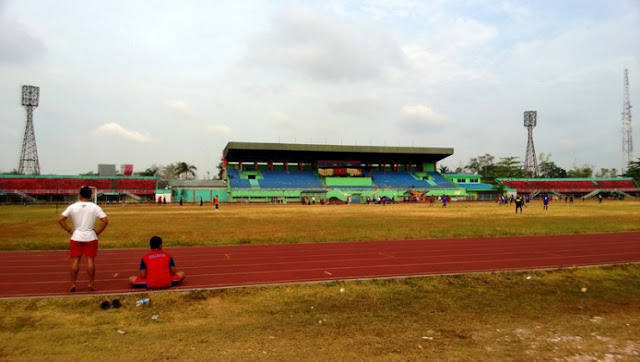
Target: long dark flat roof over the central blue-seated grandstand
(280, 152)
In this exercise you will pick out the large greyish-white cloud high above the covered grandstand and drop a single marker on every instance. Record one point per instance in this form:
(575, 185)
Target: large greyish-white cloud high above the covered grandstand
(322, 48)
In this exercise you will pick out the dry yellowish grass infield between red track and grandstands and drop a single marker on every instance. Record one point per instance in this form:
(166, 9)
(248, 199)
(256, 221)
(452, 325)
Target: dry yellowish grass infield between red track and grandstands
(35, 227)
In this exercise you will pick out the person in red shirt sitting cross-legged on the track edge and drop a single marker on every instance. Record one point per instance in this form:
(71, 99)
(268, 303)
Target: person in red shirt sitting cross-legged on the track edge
(157, 269)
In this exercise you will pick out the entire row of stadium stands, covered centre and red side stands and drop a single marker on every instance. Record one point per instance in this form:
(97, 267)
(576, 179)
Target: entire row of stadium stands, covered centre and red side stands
(285, 173)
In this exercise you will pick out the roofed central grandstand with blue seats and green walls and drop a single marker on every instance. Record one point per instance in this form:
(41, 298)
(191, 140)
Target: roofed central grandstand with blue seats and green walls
(264, 172)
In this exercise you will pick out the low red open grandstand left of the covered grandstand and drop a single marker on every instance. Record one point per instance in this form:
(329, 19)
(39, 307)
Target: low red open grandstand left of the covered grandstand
(56, 188)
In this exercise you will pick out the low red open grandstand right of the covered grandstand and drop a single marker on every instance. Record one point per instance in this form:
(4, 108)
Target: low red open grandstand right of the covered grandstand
(580, 187)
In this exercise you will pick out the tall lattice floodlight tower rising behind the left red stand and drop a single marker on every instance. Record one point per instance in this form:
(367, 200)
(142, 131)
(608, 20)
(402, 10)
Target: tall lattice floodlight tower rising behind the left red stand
(29, 163)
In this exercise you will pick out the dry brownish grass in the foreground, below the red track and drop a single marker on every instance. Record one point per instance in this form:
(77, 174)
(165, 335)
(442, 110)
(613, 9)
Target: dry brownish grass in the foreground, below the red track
(498, 316)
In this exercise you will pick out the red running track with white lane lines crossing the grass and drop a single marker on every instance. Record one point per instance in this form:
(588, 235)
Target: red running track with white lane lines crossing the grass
(45, 273)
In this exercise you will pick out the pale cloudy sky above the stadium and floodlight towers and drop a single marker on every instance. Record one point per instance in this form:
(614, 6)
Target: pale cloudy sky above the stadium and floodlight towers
(158, 82)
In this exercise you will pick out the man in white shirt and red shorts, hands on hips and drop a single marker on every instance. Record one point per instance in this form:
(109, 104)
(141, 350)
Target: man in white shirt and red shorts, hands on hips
(84, 235)
